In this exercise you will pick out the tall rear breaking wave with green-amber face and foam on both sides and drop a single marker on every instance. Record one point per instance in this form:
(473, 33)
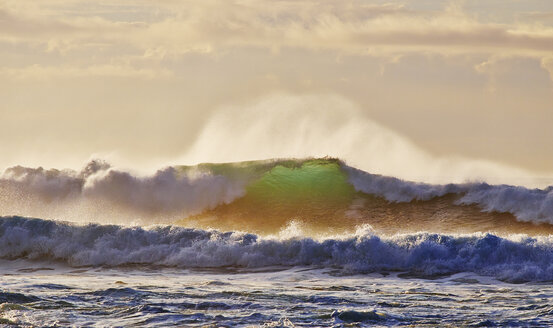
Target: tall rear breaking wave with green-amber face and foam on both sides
(265, 196)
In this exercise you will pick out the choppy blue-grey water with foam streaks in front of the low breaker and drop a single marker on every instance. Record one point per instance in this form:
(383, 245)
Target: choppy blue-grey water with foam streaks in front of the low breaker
(45, 295)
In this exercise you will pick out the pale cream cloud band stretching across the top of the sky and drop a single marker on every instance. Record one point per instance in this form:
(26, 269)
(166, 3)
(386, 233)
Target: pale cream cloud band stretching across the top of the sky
(154, 32)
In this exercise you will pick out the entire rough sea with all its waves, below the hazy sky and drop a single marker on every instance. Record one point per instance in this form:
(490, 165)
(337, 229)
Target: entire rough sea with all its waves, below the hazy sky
(274, 243)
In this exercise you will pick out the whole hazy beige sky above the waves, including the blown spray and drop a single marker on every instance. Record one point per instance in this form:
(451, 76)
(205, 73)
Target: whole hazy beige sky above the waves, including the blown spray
(145, 83)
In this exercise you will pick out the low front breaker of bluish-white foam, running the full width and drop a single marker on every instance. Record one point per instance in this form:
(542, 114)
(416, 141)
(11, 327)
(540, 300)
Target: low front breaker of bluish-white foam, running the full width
(516, 259)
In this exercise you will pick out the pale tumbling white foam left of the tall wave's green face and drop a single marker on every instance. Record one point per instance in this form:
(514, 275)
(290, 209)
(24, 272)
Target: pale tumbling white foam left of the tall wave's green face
(100, 192)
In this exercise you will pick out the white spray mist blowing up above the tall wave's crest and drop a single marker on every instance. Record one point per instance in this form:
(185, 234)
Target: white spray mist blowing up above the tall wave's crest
(294, 126)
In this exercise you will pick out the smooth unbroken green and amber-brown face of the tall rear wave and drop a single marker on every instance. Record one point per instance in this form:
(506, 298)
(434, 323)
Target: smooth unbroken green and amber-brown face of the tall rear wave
(317, 195)
